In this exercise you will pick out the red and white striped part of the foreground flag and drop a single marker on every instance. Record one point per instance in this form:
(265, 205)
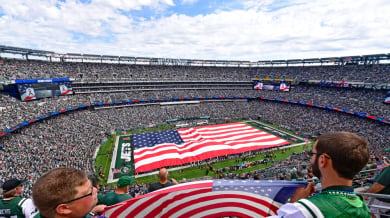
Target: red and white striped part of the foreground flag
(197, 199)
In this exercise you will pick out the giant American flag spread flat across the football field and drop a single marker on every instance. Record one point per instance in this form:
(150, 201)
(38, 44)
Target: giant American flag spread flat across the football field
(169, 148)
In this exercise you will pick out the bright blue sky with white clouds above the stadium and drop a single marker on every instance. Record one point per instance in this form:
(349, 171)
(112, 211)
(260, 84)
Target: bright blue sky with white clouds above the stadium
(220, 30)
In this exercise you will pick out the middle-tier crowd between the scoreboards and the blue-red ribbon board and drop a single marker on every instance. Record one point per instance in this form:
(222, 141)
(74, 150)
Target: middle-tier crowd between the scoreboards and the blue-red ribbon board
(357, 100)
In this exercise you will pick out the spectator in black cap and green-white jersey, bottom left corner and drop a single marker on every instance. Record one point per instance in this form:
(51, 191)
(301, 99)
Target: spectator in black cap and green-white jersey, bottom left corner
(12, 205)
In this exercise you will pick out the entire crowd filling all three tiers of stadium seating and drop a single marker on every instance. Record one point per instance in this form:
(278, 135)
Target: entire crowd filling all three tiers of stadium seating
(70, 140)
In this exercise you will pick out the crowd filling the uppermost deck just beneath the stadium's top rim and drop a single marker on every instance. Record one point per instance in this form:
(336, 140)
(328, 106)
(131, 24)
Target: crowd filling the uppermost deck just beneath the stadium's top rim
(20, 69)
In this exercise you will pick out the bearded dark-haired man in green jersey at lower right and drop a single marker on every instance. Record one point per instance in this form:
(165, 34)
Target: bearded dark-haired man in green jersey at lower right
(335, 159)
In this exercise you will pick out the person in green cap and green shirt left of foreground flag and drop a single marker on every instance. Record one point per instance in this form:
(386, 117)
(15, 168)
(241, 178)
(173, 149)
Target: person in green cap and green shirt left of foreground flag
(121, 192)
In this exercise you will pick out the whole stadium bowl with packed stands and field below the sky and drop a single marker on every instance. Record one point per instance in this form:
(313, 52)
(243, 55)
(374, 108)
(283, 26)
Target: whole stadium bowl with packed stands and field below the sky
(81, 111)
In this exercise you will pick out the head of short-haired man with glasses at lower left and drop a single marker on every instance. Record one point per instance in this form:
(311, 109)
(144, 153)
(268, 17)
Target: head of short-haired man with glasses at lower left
(64, 192)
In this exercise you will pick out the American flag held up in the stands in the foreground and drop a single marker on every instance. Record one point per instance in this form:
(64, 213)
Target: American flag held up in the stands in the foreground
(210, 198)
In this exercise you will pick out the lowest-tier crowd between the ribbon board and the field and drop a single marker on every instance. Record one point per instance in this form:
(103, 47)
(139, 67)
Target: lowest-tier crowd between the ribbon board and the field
(70, 140)
